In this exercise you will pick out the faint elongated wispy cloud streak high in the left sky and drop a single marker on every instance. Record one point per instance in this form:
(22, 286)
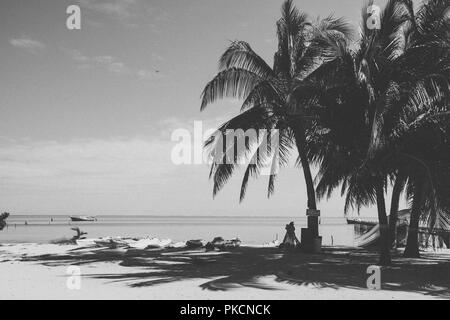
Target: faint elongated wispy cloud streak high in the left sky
(111, 64)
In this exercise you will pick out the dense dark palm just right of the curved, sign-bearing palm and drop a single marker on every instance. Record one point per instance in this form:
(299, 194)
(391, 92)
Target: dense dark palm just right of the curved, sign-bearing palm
(351, 90)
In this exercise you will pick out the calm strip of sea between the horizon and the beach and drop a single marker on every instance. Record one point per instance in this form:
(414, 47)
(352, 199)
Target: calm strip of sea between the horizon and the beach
(251, 230)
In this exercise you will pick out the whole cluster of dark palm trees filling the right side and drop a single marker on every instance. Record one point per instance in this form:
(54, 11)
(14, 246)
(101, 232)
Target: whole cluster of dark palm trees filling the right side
(368, 112)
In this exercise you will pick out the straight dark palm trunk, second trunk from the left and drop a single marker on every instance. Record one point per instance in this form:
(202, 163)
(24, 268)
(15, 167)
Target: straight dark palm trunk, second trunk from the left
(385, 255)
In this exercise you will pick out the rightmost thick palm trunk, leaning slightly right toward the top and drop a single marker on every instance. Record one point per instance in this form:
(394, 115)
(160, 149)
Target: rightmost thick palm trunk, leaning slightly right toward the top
(412, 243)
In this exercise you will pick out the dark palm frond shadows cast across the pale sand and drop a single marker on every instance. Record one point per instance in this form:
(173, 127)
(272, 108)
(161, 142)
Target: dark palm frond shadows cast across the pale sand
(246, 267)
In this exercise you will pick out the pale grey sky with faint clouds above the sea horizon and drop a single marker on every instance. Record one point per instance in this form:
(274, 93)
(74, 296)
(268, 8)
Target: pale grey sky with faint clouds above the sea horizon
(86, 116)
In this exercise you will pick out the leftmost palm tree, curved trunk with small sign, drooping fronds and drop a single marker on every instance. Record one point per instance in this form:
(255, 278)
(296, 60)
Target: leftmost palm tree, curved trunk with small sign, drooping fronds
(243, 74)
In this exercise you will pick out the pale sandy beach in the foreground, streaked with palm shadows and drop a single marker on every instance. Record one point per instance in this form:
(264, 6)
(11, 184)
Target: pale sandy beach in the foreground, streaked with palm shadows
(32, 271)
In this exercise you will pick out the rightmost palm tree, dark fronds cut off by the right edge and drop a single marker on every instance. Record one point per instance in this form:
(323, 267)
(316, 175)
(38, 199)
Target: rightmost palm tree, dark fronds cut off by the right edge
(417, 107)
